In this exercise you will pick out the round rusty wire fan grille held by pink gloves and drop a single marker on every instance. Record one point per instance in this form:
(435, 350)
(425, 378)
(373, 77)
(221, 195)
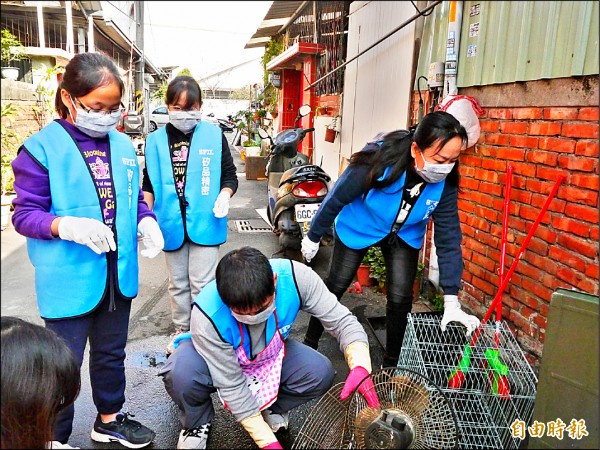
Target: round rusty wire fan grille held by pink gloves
(413, 413)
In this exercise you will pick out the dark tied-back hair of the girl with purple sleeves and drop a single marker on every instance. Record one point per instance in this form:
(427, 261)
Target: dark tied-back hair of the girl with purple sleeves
(84, 73)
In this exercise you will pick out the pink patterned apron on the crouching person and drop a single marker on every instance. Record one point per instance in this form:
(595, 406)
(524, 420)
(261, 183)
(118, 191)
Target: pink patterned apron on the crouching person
(263, 373)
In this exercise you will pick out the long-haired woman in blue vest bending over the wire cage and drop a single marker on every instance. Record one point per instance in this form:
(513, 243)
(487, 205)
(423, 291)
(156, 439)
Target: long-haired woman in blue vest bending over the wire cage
(385, 198)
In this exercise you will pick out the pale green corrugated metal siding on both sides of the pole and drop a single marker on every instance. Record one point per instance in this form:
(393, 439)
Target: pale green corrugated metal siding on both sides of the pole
(517, 41)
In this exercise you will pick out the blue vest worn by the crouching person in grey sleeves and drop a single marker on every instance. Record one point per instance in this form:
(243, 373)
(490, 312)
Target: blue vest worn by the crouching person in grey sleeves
(287, 305)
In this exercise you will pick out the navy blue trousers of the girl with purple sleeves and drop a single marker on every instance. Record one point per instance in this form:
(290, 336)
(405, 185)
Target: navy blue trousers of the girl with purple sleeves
(107, 333)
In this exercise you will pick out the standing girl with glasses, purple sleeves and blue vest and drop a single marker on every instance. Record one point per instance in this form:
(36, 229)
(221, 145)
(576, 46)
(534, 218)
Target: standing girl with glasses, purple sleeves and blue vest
(80, 206)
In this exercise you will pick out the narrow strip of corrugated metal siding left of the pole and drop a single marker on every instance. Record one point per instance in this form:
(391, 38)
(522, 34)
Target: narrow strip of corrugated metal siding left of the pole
(433, 45)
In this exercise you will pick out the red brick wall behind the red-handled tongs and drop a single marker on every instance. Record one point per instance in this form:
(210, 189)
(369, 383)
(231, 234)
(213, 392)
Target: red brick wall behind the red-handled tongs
(541, 143)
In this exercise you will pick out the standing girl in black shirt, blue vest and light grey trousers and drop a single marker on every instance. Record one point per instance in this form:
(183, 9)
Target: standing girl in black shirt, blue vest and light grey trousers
(188, 180)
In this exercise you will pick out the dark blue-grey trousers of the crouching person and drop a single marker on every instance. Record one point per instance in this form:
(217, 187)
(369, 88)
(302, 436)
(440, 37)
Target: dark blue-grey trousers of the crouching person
(305, 374)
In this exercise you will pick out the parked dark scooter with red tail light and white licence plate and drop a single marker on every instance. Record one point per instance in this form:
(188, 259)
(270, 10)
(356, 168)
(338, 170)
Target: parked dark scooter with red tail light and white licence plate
(295, 188)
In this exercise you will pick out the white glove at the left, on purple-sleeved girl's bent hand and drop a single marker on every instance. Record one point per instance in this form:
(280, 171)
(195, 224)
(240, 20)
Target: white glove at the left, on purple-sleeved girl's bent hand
(91, 232)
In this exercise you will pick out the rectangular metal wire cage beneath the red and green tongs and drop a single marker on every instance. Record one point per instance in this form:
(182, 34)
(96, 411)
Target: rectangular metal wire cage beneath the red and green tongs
(484, 417)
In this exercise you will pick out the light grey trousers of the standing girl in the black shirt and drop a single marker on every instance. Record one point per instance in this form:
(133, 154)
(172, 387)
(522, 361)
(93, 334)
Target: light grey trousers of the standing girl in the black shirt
(190, 269)
